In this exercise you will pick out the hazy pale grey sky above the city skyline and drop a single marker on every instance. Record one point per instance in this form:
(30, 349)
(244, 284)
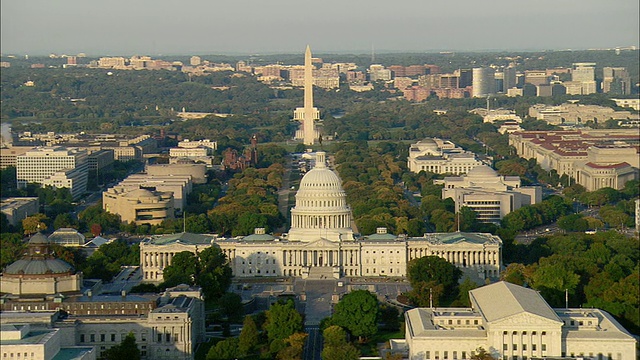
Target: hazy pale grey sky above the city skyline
(151, 27)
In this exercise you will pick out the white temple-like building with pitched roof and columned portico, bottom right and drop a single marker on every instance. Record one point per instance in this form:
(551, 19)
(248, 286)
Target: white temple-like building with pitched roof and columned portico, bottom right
(512, 322)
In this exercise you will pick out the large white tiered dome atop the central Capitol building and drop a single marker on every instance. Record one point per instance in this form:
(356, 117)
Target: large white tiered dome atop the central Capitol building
(321, 209)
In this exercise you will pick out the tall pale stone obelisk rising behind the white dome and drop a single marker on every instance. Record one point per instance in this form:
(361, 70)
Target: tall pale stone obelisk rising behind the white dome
(308, 114)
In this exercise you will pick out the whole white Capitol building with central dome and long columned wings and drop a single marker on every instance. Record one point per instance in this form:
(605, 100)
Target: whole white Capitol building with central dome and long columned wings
(321, 243)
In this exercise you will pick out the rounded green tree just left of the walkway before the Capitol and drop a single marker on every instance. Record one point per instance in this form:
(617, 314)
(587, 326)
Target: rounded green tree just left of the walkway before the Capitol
(283, 320)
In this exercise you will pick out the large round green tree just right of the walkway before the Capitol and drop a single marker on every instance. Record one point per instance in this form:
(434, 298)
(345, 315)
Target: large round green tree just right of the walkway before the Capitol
(358, 313)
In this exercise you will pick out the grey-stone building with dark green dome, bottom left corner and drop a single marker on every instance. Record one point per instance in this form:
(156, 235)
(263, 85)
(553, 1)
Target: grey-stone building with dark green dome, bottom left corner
(66, 315)
